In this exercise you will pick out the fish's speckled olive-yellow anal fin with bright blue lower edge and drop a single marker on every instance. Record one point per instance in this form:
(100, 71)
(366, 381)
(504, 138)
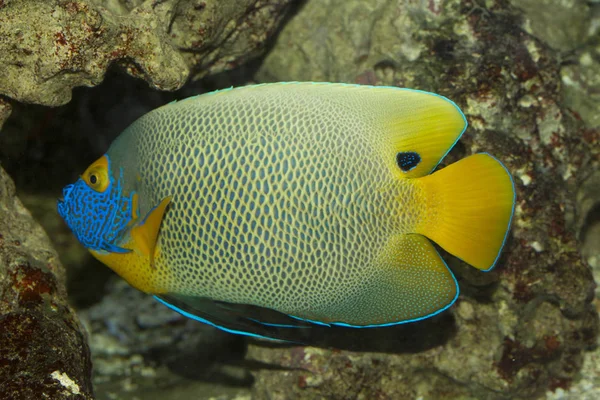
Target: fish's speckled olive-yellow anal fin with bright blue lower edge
(411, 282)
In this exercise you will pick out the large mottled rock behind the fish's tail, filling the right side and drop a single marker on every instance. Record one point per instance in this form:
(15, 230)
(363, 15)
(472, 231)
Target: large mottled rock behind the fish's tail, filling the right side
(529, 321)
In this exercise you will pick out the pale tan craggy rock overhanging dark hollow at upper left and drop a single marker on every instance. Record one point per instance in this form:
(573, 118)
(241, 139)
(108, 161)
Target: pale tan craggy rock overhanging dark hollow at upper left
(50, 47)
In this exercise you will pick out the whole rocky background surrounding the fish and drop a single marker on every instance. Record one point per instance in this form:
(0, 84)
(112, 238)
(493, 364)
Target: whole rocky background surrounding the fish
(527, 75)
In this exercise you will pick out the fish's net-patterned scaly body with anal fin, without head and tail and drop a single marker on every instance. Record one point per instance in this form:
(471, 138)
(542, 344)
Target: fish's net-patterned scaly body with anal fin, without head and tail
(283, 200)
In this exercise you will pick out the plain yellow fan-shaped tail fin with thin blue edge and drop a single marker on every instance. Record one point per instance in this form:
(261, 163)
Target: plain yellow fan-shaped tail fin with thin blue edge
(470, 208)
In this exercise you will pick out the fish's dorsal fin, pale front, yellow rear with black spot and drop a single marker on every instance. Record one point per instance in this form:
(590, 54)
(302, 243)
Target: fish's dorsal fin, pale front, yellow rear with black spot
(421, 124)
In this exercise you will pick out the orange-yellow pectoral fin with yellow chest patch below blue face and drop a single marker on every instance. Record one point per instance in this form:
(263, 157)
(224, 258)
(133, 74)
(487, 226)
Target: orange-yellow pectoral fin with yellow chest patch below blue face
(137, 266)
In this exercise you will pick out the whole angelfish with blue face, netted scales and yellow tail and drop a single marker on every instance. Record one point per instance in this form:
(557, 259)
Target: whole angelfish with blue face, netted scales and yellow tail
(303, 202)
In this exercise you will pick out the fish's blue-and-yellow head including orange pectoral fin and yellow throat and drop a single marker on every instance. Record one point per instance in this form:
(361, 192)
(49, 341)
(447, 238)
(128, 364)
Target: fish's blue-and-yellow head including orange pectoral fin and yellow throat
(106, 221)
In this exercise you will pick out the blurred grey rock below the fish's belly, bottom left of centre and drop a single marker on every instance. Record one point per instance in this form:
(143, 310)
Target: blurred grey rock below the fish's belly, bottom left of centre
(141, 348)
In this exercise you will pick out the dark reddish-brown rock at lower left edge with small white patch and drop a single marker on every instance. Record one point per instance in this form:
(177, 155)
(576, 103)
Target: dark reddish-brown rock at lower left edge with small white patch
(44, 350)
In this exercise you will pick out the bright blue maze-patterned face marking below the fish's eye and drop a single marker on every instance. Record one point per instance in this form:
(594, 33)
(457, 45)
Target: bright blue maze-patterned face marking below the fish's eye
(98, 219)
